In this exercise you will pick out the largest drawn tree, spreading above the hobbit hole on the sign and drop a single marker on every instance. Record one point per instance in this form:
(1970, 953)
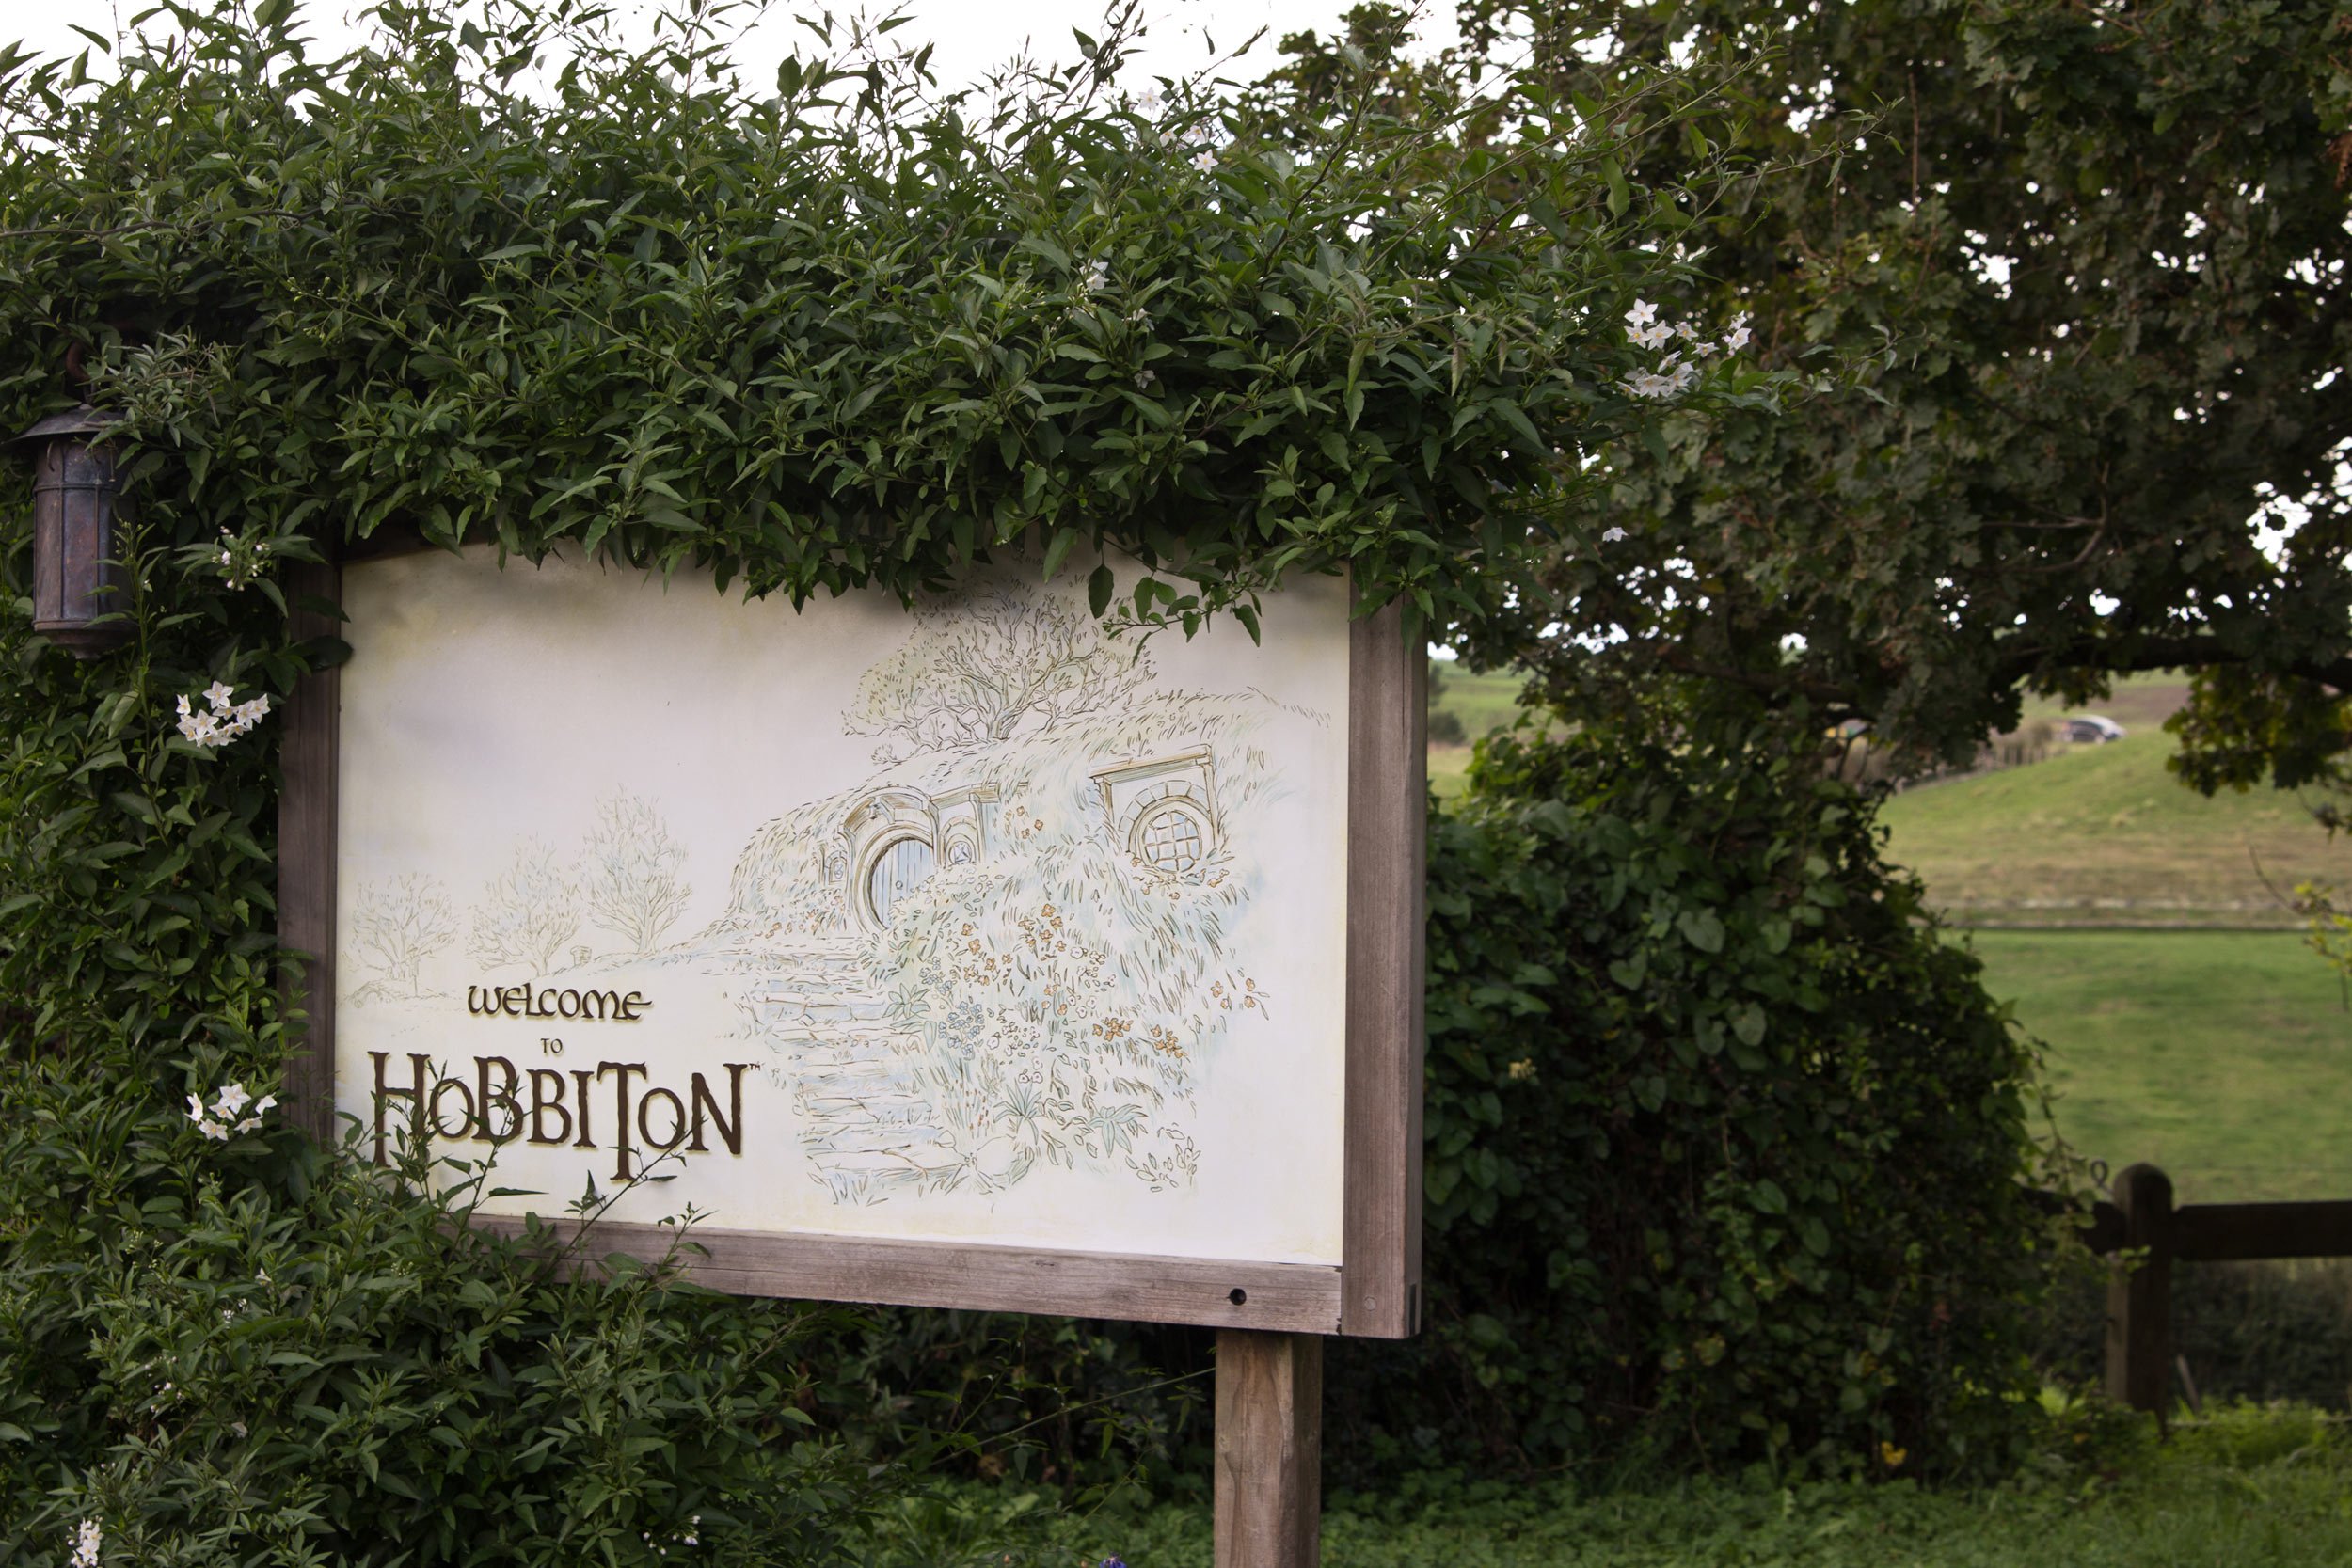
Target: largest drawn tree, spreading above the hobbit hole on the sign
(977, 671)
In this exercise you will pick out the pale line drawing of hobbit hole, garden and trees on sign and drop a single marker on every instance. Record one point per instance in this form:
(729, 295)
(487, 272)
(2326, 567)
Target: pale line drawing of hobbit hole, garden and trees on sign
(1010, 951)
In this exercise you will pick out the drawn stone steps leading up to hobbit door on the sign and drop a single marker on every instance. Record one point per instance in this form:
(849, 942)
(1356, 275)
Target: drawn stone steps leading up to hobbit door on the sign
(867, 1123)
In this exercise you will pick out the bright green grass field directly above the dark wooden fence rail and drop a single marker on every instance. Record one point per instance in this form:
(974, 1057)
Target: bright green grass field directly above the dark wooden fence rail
(2224, 1057)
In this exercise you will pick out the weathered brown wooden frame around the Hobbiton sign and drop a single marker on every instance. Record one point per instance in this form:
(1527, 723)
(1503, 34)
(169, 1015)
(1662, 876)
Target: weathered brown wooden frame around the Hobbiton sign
(1377, 1285)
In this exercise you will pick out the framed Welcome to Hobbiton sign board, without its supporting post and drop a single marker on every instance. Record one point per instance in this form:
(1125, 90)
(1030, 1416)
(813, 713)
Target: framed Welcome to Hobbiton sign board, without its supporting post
(961, 958)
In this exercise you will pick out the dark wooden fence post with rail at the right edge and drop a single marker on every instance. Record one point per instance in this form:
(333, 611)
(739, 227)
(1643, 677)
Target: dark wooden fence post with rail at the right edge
(2141, 1301)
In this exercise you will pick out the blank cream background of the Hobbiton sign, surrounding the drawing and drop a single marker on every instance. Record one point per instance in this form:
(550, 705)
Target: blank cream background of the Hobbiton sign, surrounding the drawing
(483, 706)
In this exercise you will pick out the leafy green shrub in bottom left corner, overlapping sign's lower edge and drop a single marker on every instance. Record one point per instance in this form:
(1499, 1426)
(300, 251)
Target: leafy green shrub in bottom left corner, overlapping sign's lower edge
(250, 1351)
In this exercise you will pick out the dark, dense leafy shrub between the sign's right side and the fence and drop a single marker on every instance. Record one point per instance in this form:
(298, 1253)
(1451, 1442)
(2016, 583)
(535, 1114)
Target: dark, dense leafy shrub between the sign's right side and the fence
(1725, 1146)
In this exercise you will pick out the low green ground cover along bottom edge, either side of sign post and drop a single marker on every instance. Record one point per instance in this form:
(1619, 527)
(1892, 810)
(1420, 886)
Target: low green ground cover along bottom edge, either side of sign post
(2247, 1489)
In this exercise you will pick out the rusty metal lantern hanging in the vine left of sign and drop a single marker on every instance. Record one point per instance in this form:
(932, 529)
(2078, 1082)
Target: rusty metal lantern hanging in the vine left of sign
(76, 579)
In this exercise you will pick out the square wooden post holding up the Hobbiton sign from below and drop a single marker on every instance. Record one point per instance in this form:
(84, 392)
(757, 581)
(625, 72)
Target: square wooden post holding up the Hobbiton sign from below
(1269, 1449)
